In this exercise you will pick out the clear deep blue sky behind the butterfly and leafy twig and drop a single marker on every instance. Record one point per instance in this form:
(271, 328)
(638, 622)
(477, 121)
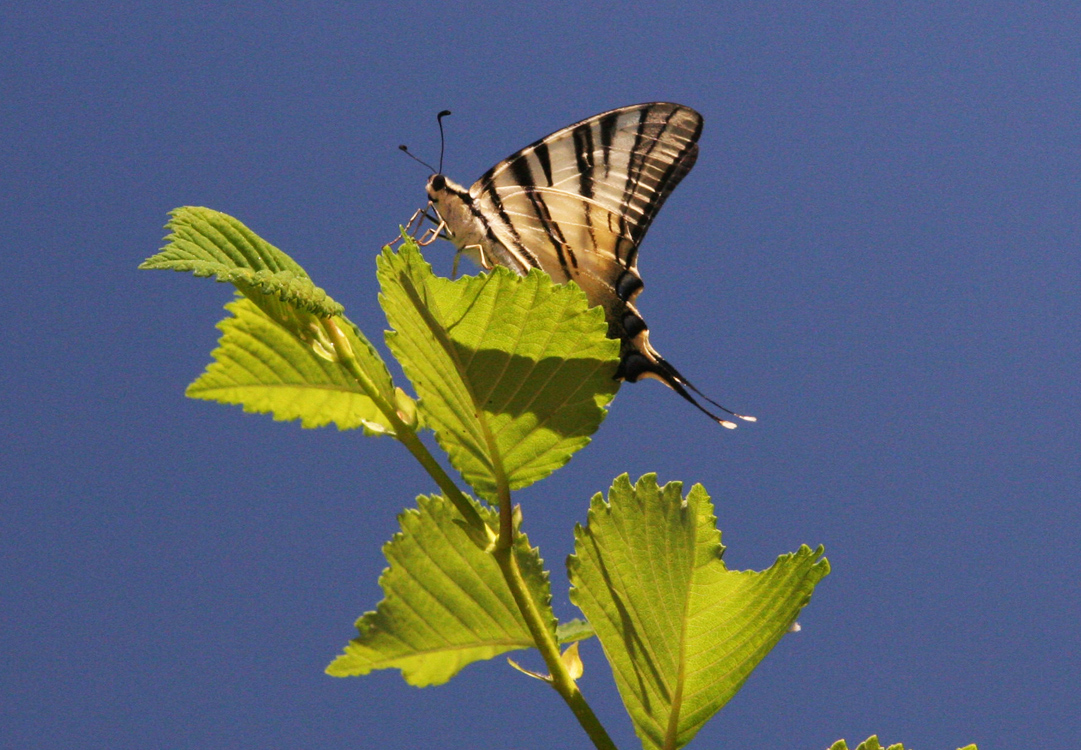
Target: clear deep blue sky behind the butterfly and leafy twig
(877, 255)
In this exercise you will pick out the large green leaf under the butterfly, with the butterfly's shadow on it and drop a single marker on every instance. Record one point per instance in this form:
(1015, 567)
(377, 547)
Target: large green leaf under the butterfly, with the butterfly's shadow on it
(514, 372)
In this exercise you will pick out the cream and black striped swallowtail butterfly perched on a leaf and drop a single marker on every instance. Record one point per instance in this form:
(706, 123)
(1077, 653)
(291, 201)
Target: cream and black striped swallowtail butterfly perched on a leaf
(577, 205)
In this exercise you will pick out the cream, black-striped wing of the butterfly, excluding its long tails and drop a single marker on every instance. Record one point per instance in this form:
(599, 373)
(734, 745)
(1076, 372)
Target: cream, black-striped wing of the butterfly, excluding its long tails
(579, 203)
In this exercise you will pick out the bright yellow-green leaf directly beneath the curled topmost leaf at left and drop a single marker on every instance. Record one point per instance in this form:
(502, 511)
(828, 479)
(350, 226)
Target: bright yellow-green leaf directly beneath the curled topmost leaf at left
(262, 367)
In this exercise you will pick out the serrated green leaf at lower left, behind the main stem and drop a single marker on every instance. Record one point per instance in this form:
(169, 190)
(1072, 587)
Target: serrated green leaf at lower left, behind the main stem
(447, 604)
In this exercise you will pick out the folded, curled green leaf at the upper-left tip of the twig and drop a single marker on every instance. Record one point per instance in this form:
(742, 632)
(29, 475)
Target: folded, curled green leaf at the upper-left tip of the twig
(211, 244)
